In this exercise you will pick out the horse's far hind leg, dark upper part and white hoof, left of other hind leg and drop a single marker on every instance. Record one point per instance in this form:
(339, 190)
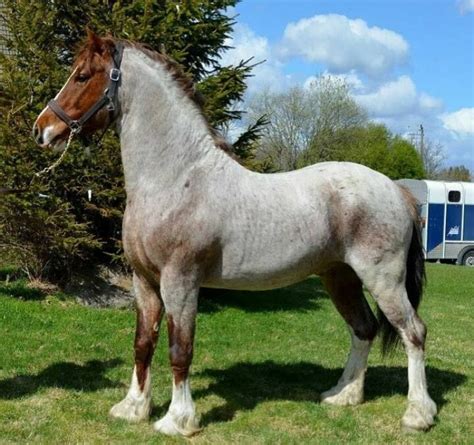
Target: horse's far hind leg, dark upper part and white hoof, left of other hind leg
(345, 289)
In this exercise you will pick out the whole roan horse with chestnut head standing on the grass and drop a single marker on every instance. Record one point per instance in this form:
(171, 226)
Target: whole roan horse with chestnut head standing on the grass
(195, 217)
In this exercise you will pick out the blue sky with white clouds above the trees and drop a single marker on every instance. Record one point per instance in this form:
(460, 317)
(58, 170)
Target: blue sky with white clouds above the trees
(407, 62)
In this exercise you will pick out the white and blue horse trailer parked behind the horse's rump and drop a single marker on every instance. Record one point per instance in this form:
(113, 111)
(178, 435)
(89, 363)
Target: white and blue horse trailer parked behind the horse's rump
(447, 212)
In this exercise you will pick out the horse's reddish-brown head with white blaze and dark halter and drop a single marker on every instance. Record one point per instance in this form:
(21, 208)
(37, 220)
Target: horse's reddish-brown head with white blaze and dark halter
(86, 102)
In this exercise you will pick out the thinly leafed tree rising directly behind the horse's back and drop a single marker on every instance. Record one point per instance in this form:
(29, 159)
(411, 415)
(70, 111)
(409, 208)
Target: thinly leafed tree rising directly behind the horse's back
(307, 125)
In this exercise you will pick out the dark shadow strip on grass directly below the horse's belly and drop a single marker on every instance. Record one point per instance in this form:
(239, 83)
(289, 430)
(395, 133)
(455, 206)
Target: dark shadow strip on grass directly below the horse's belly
(299, 297)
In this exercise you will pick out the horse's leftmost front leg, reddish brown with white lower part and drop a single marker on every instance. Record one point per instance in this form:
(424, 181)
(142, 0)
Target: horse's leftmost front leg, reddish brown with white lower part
(137, 404)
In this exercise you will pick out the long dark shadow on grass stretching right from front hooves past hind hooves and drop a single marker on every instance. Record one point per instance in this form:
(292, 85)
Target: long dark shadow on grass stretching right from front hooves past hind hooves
(245, 385)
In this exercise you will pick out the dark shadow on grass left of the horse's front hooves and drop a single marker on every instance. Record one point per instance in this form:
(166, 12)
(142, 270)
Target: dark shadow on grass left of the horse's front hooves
(87, 377)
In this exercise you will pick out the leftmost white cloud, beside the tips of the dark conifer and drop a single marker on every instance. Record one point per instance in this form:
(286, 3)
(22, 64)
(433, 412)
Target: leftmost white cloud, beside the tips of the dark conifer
(247, 44)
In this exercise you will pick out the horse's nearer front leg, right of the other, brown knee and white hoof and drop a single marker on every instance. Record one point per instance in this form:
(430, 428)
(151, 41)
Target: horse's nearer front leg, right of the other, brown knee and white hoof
(180, 297)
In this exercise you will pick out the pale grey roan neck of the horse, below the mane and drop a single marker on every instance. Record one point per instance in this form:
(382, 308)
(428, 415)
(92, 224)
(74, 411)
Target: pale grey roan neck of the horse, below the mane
(163, 134)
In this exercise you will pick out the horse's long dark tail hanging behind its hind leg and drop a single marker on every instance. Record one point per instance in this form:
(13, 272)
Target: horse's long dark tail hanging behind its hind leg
(414, 282)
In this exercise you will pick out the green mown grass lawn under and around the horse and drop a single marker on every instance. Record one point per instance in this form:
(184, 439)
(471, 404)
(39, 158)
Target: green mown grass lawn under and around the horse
(261, 361)
